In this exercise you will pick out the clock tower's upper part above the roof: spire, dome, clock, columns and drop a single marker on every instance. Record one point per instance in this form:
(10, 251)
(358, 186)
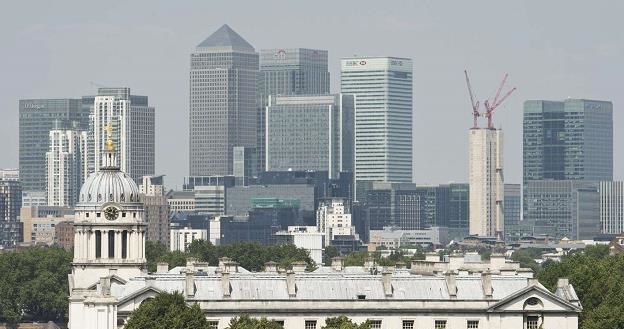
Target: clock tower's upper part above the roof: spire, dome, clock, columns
(109, 236)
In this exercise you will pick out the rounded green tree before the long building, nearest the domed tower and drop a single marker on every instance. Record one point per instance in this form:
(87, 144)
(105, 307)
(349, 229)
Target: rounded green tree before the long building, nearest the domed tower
(167, 311)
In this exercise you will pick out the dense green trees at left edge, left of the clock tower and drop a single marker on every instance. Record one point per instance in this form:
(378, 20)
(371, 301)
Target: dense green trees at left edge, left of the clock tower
(33, 284)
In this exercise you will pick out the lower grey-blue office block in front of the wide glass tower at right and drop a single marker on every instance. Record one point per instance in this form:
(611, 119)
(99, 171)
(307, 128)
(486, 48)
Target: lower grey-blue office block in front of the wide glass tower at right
(569, 208)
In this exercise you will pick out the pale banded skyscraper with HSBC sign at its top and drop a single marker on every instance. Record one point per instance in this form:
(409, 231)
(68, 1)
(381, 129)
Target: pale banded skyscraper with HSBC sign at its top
(383, 117)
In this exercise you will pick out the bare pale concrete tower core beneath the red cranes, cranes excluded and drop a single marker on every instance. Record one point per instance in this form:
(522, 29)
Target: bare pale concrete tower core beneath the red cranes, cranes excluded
(485, 167)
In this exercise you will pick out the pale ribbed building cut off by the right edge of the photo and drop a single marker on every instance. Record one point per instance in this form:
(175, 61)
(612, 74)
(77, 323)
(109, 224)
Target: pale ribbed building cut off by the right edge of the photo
(612, 207)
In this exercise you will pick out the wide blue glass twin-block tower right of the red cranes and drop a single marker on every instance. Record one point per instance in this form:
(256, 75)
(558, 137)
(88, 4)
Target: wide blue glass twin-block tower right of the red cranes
(568, 140)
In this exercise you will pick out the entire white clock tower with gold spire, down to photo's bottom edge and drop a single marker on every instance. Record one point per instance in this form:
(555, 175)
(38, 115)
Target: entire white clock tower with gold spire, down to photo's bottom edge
(109, 242)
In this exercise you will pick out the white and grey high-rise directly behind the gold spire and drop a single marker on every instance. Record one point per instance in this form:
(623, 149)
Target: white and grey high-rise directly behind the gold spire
(132, 121)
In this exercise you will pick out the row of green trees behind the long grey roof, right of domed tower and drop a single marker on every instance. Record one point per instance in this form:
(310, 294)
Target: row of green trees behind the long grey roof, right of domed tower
(250, 255)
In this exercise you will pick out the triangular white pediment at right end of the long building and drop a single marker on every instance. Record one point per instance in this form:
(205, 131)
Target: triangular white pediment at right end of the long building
(522, 301)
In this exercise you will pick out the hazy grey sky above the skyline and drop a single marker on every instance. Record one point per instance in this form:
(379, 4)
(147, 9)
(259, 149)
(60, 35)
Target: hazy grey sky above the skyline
(551, 49)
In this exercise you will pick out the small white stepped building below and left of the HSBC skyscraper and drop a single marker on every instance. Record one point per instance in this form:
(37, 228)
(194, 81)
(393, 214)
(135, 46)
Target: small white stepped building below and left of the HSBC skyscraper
(333, 217)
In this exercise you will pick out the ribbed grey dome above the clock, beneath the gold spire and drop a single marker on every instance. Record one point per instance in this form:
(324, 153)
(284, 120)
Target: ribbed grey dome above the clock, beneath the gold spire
(109, 186)
